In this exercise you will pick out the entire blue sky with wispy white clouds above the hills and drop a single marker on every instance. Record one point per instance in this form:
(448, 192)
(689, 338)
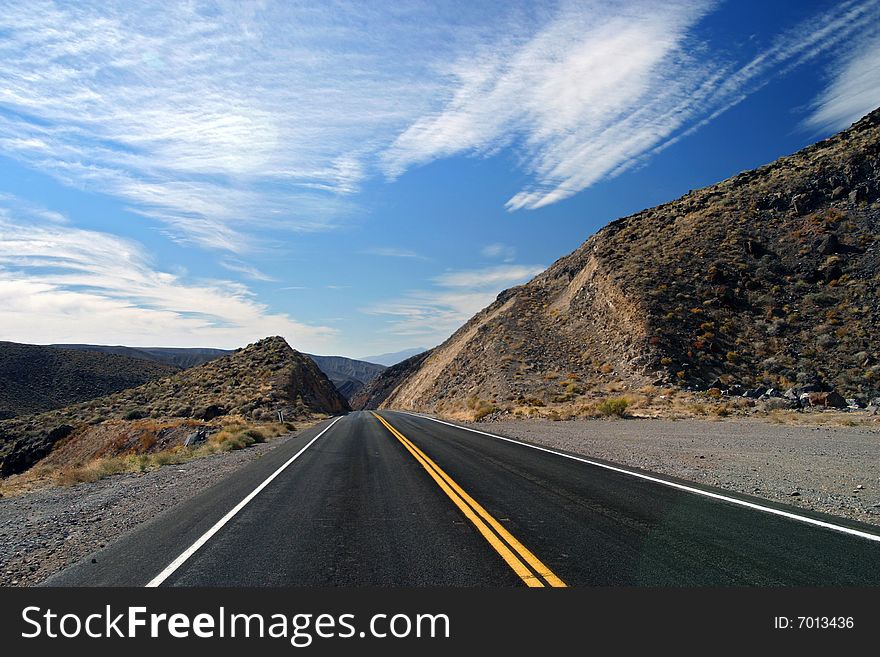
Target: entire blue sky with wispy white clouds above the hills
(363, 177)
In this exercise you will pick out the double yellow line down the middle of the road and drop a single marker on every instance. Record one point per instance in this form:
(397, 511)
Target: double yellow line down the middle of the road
(515, 554)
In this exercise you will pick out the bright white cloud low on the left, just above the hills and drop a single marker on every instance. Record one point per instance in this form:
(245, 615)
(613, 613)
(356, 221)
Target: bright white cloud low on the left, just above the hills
(61, 284)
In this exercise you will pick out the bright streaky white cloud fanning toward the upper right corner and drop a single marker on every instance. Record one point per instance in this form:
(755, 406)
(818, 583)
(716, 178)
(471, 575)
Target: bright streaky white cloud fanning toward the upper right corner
(600, 88)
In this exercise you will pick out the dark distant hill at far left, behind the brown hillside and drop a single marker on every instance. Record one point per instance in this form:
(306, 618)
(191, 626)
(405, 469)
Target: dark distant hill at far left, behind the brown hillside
(35, 378)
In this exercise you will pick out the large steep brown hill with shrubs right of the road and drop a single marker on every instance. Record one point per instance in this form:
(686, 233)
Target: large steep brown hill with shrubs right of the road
(768, 279)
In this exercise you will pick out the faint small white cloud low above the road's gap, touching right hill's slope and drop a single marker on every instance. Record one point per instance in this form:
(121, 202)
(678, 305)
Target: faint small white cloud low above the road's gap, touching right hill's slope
(434, 314)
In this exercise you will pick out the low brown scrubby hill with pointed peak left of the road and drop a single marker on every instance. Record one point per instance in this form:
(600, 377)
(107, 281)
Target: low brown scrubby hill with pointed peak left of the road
(254, 383)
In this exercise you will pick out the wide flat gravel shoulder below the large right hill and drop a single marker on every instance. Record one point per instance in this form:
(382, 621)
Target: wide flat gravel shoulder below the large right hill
(833, 470)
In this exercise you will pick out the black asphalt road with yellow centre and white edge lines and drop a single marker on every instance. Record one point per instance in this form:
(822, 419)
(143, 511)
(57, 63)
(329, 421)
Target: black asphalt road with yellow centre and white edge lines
(394, 499)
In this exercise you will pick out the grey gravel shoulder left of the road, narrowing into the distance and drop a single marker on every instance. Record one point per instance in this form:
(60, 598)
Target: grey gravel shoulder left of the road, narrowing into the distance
(44, 531)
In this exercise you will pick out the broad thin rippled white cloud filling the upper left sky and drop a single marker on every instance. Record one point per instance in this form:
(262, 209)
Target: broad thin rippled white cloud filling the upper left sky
(213, 118)
